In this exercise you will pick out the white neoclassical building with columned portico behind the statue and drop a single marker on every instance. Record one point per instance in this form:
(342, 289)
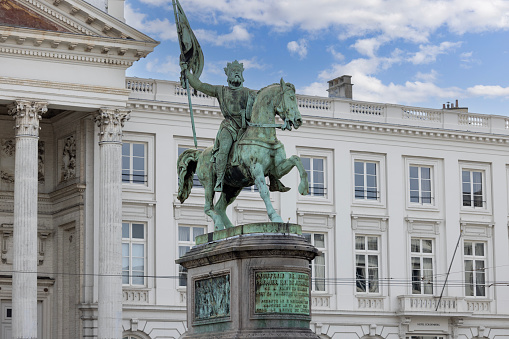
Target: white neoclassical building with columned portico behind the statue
(400, 196)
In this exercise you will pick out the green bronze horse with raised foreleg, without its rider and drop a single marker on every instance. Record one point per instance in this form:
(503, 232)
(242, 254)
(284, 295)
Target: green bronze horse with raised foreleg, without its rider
(256, 155)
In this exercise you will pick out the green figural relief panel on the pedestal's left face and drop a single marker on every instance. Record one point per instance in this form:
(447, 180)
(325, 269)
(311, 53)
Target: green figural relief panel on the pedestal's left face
(212, 298)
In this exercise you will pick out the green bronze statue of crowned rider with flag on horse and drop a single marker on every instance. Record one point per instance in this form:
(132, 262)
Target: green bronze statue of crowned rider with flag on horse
(246, 149)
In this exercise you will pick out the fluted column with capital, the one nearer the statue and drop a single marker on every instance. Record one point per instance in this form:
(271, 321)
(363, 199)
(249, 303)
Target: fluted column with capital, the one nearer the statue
(110, 122)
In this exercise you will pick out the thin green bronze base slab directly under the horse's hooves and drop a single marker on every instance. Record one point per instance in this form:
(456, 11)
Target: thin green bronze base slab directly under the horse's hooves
(269, 227)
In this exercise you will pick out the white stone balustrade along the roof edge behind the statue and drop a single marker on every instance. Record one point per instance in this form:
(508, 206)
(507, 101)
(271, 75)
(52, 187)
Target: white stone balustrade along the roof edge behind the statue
(313, 107)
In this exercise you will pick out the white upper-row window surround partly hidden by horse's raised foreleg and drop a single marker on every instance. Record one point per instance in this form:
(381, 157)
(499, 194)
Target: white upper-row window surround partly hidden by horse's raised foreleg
(328, 156)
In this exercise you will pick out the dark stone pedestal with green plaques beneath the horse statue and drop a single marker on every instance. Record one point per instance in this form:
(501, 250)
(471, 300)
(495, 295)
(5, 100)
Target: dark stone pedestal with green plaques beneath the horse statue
(250, 281)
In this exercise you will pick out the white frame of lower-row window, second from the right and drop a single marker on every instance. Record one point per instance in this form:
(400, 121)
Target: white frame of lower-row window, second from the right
(421, 255)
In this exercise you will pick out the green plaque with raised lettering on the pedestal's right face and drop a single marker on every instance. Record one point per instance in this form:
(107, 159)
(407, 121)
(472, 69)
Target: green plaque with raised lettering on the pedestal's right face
(282, 292)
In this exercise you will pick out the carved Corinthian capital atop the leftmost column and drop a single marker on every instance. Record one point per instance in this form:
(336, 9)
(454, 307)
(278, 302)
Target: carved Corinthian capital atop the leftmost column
(27, 115)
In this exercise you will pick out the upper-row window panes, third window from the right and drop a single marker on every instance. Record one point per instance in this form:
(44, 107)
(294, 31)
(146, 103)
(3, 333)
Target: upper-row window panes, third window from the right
(366, 182)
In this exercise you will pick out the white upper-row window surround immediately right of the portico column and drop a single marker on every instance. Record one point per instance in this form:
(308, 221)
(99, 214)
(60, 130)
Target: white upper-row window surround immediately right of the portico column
(148, 141)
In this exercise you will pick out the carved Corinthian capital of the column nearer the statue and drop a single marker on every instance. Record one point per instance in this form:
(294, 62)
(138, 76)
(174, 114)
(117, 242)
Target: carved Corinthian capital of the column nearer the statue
(110, 122)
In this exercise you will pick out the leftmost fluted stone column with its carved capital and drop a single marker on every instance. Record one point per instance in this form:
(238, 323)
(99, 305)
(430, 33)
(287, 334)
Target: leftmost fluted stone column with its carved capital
(24, 278)
